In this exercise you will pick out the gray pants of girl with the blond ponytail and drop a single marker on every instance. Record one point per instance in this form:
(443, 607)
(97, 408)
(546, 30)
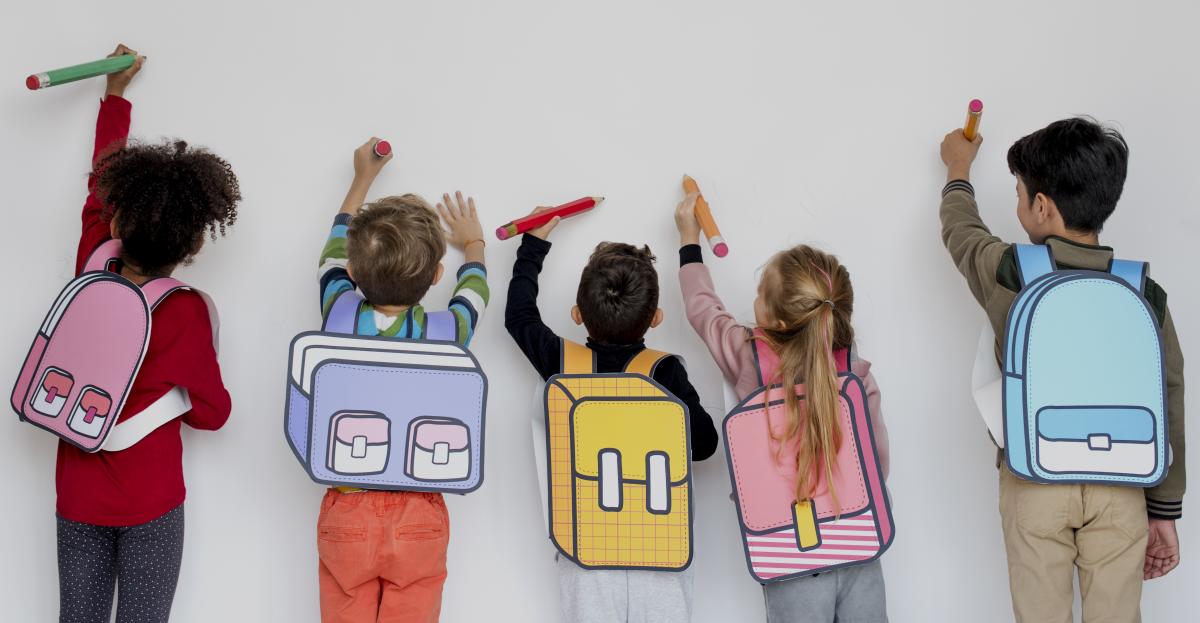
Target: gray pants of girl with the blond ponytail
(854, 595)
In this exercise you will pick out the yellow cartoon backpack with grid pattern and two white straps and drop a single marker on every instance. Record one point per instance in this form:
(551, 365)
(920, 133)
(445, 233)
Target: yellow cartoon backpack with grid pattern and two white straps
(620, 483)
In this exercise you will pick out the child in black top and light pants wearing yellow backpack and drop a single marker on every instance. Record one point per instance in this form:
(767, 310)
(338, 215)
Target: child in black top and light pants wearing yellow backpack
(617, 302)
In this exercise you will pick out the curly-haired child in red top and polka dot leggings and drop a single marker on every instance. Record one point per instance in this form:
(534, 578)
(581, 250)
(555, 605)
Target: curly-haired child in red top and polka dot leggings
(121, 514)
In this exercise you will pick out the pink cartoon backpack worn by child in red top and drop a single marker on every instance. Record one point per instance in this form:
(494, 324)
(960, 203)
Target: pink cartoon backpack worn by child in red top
(87, 355)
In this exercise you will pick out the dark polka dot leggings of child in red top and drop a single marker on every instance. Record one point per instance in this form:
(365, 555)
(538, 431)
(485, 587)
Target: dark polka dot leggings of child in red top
(143, 561)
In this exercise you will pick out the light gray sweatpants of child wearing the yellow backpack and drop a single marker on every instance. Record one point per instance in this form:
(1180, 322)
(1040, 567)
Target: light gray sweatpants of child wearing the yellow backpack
(614, 596)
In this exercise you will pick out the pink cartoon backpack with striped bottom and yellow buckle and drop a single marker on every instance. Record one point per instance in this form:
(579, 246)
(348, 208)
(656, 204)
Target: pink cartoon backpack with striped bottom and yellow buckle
(784, 538)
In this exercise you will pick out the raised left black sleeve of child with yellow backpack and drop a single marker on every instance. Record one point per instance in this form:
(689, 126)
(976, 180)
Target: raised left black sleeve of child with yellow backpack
(539, 344)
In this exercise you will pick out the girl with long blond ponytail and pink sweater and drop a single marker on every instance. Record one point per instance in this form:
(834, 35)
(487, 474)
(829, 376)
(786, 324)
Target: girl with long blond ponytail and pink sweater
(803, 310)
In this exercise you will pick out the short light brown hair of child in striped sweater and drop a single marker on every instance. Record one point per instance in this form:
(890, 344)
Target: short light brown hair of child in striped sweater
(394, 247)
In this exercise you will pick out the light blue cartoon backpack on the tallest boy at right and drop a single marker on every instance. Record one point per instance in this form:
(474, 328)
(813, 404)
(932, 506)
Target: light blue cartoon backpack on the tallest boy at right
(1084, 382)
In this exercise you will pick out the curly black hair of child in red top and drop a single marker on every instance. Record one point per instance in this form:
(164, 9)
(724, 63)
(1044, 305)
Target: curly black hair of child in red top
(164, 197)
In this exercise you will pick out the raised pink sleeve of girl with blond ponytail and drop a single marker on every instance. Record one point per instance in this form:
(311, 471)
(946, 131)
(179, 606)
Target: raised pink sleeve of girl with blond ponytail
(725, 339)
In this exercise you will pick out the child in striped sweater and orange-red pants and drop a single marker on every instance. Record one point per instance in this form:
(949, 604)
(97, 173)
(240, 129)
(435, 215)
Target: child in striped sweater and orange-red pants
(383, 554)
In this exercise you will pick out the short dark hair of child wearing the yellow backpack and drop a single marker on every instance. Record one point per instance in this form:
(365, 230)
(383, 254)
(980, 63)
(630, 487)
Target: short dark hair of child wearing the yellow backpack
(619, 293)
